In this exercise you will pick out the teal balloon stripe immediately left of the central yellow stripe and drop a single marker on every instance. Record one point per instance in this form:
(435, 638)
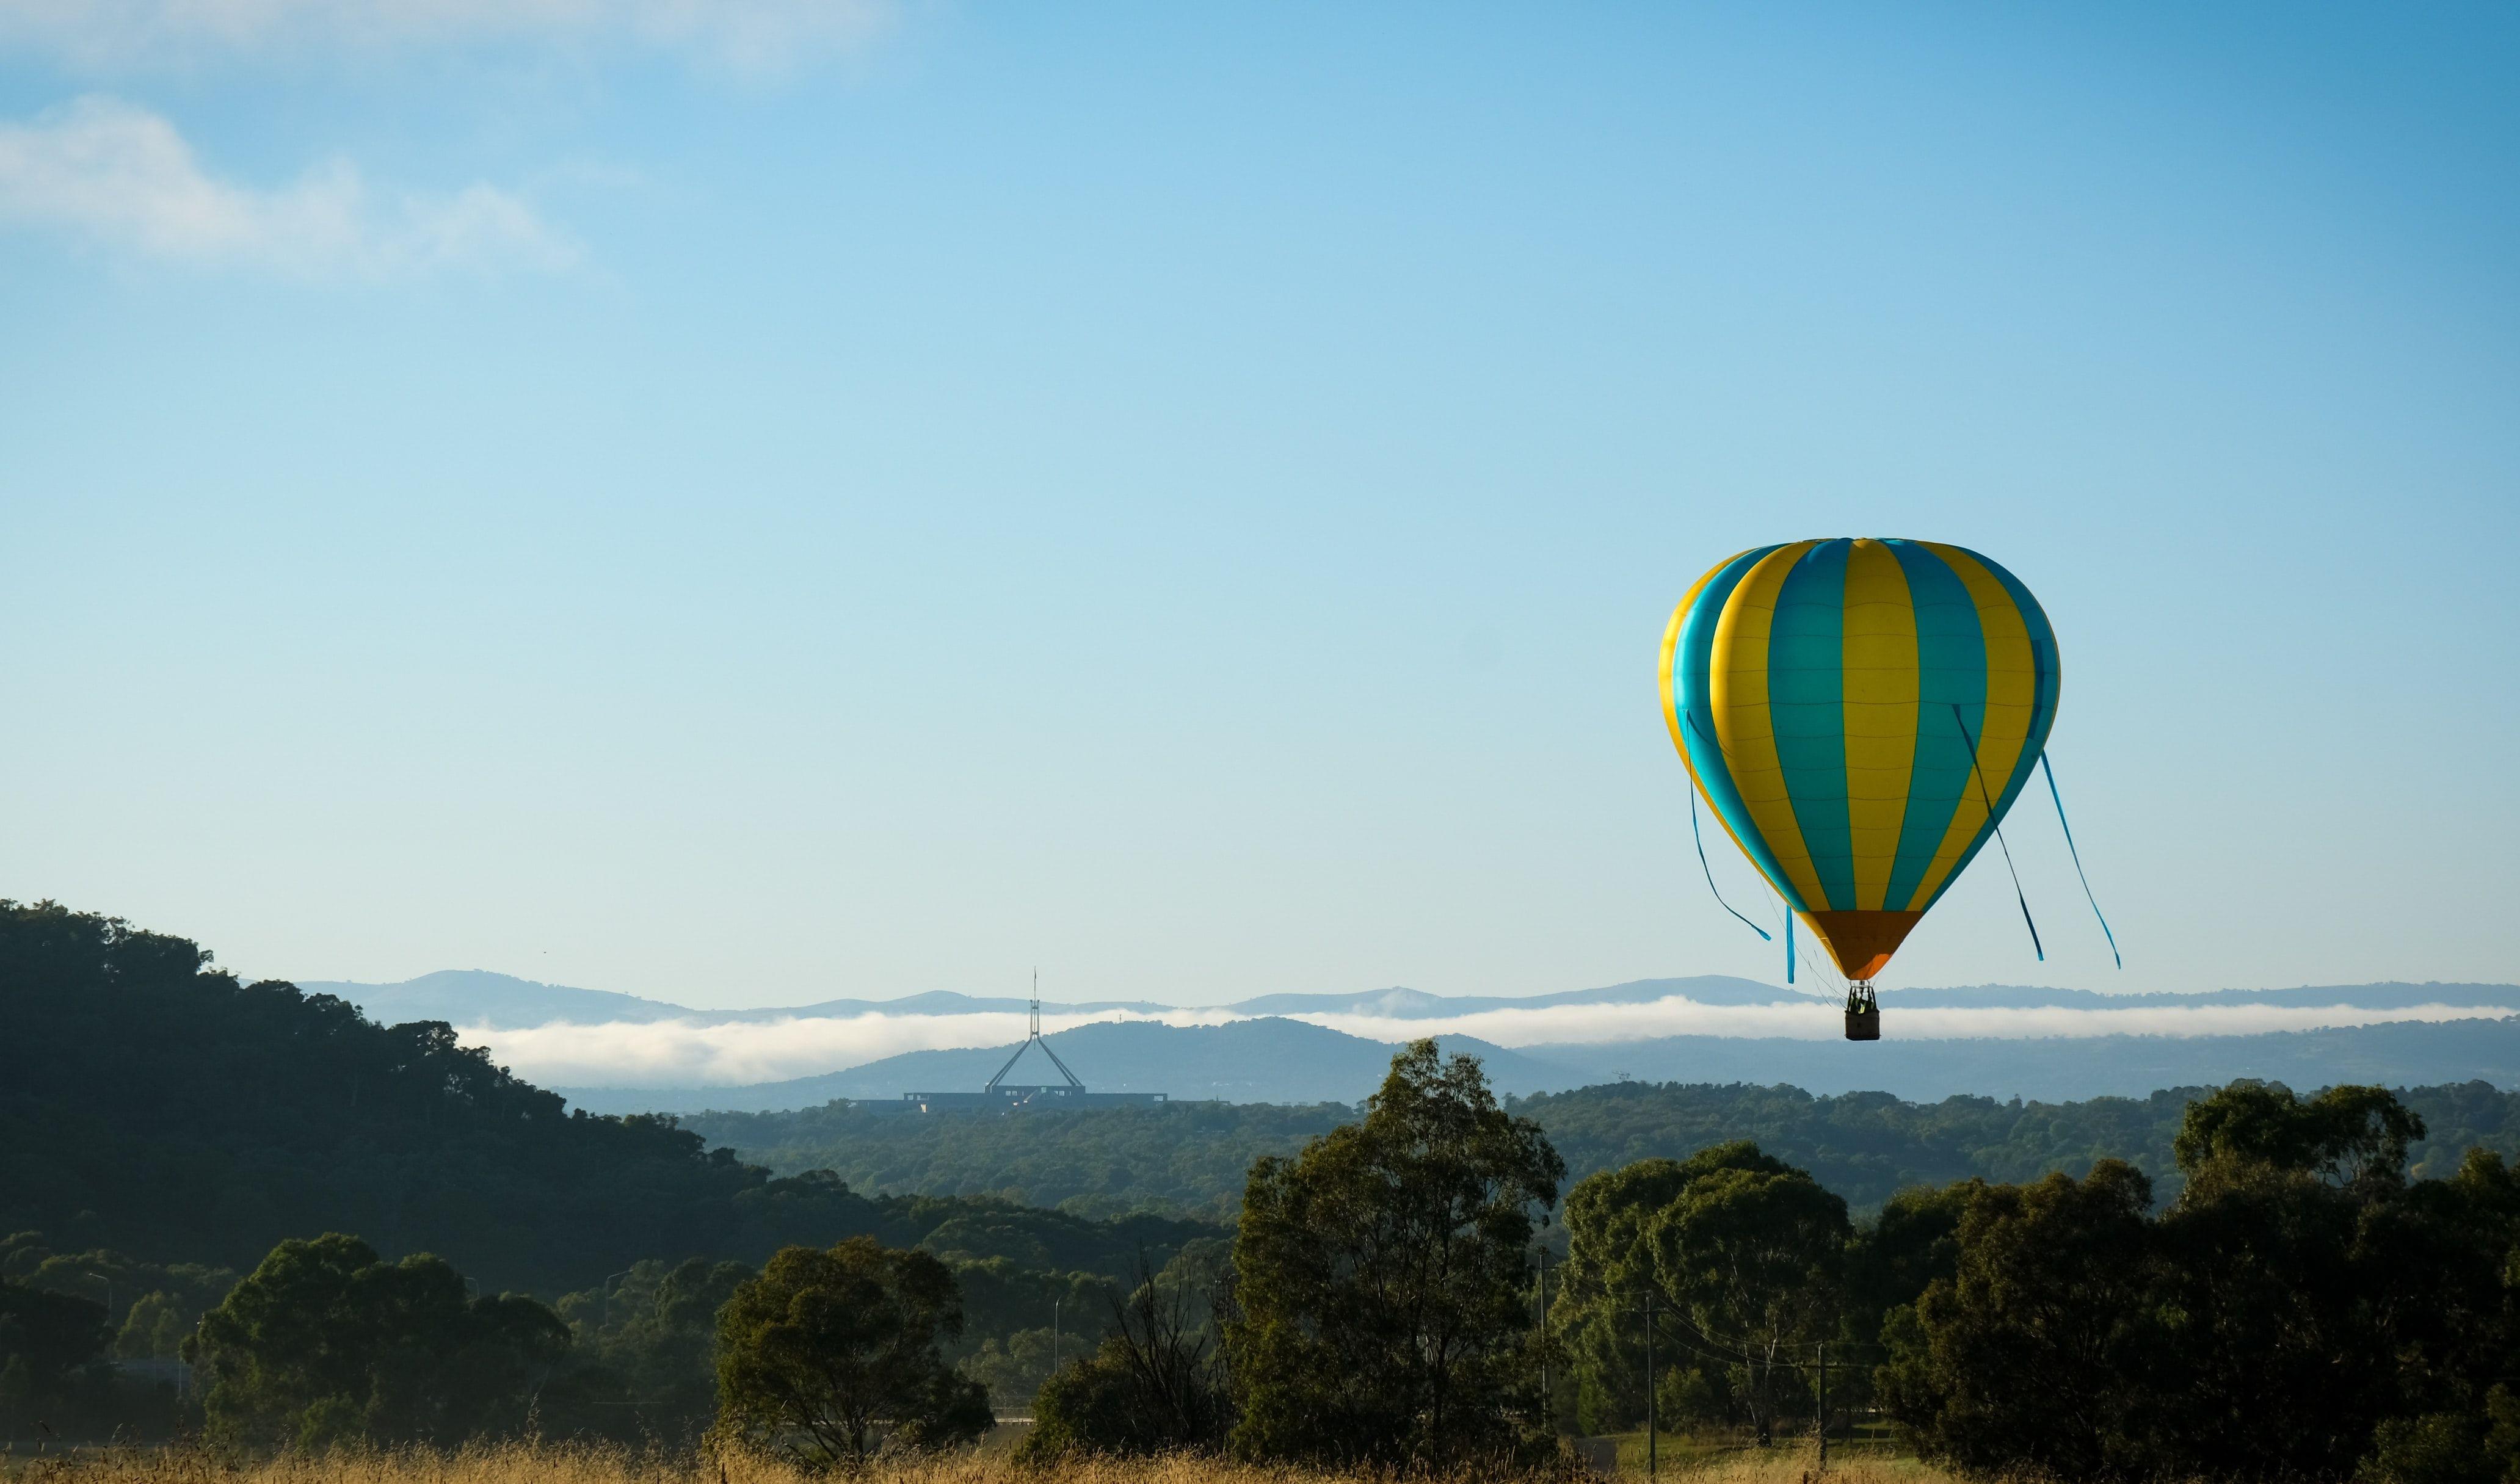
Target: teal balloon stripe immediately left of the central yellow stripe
(1806, 702)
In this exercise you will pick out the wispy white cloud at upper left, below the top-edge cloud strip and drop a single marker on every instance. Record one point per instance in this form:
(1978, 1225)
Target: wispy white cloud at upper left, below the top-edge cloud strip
(125, 178)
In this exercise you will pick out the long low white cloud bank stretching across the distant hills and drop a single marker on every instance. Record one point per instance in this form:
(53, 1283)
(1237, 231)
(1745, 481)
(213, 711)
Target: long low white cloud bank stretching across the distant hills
(752, 1052)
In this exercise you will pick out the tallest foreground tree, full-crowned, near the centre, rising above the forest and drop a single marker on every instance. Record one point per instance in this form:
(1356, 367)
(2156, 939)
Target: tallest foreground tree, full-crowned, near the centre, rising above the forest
(1385, 1281)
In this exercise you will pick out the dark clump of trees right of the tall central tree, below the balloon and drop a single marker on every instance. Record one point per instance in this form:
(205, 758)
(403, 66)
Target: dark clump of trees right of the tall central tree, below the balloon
(2299, 1311)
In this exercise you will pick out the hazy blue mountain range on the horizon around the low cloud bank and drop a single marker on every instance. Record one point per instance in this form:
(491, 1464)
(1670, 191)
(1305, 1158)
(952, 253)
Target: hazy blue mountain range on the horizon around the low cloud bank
(1274, 1057)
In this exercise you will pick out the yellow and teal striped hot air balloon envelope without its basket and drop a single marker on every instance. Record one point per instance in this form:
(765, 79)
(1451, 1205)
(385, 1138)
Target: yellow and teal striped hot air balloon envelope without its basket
(1861, 714)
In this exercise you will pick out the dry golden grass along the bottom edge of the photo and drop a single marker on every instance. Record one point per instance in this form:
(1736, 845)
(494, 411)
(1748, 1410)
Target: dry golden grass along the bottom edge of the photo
(581, 1465)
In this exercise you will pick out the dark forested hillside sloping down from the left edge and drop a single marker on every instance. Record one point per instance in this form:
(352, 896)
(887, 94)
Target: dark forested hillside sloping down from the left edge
(165, 1130)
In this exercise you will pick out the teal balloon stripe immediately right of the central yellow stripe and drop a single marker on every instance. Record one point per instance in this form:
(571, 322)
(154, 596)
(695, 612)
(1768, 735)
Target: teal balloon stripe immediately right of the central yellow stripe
(1952, 671)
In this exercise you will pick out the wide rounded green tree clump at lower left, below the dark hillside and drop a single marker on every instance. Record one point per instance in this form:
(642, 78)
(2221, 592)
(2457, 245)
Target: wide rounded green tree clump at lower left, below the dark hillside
(326, 1342)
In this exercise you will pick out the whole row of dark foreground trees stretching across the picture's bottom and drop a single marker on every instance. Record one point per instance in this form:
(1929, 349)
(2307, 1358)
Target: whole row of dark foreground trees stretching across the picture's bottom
(2302, 1311)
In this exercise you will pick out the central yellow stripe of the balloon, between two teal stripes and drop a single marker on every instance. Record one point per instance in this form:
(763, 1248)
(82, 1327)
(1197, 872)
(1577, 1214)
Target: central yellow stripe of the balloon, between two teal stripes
(1879, 692)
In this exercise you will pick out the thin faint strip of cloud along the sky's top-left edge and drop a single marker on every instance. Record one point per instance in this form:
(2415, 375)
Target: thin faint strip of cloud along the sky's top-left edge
(752, 37)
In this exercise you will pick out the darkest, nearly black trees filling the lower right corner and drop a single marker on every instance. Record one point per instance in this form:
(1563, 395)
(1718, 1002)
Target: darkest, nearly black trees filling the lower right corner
(2299, 1311)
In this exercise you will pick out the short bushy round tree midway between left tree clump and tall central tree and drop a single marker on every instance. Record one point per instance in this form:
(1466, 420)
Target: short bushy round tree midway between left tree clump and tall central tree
(833, 1354)
